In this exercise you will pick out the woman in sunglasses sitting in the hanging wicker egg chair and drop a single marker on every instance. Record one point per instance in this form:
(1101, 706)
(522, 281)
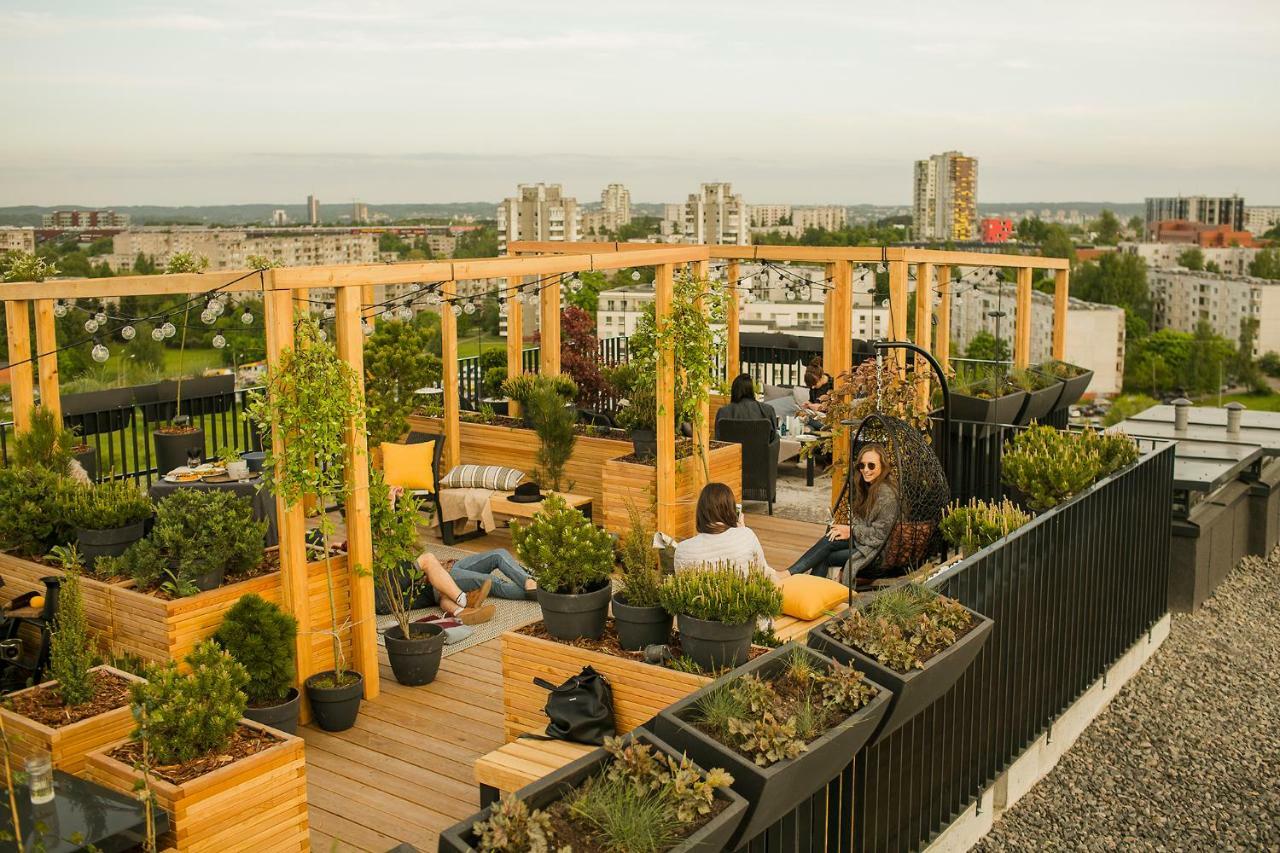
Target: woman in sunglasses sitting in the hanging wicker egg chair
(861, 524)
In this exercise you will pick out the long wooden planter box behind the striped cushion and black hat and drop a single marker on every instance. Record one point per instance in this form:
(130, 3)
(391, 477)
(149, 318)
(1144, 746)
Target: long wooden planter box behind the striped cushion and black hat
(518, 449)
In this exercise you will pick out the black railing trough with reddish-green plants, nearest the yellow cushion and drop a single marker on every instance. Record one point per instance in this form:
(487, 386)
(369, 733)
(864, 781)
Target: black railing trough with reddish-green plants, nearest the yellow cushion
(909, 640)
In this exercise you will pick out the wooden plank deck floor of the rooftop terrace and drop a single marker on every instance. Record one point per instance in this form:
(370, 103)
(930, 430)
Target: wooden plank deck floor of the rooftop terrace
(405, 772)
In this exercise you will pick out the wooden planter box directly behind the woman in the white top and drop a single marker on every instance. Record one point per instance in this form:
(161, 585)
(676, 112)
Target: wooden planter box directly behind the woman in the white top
(629, 485)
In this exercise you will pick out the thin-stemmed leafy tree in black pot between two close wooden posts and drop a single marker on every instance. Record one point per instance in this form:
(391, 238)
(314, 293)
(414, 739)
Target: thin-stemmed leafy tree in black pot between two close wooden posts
(313, 399)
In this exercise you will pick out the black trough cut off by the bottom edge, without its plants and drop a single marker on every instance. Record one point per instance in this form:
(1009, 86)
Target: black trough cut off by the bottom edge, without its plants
(712, 837)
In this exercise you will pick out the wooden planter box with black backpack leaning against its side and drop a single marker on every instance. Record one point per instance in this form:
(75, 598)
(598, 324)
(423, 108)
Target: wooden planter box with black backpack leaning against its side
(641, 691)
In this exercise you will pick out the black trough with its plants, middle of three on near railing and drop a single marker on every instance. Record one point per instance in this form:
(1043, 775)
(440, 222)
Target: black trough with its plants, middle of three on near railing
(783, 726)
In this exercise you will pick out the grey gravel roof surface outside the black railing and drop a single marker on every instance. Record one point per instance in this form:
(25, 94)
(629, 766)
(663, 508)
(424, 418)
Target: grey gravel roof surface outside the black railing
(1187, 758)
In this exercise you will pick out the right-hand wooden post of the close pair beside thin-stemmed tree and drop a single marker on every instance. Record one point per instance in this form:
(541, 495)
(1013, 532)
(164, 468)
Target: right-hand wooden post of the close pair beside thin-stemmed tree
(360, 548)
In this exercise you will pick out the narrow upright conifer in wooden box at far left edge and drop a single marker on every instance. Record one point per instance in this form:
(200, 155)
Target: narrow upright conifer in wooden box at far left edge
(84, 708)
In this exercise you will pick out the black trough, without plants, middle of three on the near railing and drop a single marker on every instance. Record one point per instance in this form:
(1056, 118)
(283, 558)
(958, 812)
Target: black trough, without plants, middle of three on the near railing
(775, 791)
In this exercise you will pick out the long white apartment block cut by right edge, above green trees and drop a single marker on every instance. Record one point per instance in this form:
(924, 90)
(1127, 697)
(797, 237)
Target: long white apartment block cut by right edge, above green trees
(1181, 299)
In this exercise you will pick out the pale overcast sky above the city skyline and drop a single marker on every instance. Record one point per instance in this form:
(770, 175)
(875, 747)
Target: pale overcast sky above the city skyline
(396, 102)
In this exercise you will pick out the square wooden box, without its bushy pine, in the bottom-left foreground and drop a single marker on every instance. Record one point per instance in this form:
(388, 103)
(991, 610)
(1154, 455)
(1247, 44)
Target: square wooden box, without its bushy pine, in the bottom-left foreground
(257, 804)
